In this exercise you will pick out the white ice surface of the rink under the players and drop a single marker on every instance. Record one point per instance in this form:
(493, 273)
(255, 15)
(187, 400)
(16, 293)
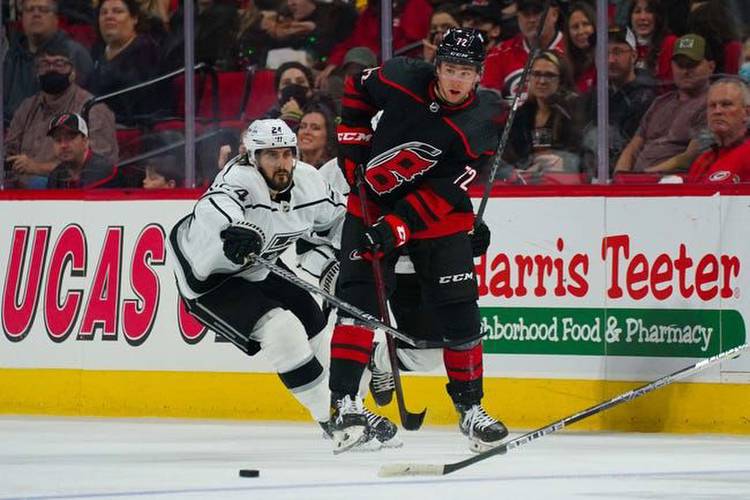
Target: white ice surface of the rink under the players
(66, 458)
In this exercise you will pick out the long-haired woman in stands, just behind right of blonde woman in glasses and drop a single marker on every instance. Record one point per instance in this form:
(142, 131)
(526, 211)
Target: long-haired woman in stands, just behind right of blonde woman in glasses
(580, 33)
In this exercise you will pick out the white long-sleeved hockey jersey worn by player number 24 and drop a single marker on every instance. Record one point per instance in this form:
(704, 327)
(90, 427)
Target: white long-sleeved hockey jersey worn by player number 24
(310, 206)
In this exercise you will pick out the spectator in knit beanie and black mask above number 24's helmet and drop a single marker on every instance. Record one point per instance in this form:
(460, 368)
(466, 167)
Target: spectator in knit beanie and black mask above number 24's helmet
(294, 87)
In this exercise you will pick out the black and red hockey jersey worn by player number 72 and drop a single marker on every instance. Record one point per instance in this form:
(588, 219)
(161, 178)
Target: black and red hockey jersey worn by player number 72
(424, 153)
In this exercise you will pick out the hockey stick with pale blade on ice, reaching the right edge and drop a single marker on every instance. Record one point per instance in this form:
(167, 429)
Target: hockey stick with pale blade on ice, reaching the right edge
(441, 470)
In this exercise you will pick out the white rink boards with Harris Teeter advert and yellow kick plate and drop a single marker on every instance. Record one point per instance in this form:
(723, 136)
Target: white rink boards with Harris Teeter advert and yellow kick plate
(584, 293)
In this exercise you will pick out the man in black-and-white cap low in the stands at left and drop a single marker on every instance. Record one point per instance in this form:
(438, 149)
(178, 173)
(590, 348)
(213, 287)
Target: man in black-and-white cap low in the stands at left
(76, 165)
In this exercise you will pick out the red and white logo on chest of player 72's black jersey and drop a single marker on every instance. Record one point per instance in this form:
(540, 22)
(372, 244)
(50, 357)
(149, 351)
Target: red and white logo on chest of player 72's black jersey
(400, 164)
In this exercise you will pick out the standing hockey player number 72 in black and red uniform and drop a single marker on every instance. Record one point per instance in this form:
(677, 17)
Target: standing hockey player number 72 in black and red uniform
(435, 130)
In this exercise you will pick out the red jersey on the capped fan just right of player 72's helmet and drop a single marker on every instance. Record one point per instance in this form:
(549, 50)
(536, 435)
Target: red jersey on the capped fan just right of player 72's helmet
(505, 63)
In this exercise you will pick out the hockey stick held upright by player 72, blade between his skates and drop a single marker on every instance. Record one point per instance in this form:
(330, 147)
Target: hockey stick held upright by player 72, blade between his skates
(409, 421)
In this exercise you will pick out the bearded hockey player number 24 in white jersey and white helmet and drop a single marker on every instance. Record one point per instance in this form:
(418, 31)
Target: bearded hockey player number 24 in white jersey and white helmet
(260, 204)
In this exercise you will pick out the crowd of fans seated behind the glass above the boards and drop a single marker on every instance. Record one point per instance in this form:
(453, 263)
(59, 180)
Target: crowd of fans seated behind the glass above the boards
(679, 104)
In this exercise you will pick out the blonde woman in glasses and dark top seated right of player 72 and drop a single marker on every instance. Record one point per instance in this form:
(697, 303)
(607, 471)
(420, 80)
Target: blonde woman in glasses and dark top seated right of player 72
(544, 136)
